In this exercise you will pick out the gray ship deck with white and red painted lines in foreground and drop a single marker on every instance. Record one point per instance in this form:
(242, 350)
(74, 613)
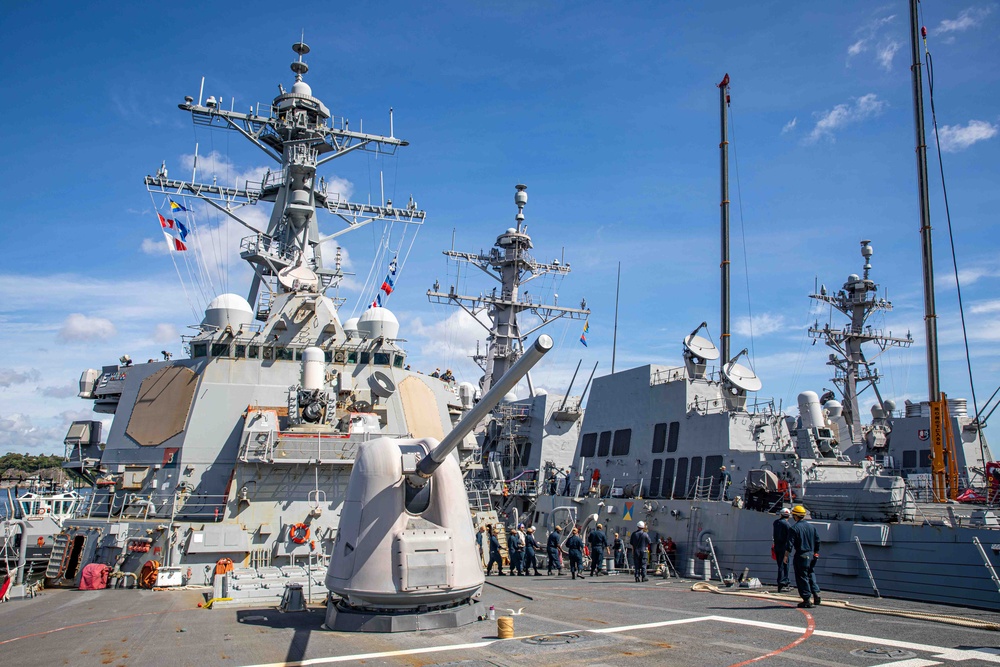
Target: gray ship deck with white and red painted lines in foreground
(595, 621)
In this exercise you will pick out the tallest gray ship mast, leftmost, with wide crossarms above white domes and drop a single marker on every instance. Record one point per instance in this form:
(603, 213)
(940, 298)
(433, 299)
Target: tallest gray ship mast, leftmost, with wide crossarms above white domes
(298, 132)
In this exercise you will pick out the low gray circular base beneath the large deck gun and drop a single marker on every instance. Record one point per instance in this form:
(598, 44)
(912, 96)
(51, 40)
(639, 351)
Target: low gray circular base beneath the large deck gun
(345, 619)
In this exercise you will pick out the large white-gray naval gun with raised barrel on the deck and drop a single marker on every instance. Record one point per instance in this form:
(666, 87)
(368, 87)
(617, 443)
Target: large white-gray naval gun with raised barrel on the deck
(405, 557)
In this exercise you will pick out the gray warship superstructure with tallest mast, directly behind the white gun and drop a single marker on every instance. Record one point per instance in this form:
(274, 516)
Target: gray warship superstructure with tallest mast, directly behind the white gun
(241, 452)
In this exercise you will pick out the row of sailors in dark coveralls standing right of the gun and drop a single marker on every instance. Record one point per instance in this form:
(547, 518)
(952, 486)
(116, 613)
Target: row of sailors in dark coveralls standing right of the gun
(522, 549)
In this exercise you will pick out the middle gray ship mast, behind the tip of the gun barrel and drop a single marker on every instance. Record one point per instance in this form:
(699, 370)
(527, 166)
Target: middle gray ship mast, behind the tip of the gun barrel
(510, 264)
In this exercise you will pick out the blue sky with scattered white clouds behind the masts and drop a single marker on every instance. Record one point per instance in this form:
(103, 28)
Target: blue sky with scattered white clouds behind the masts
(607, 111)
